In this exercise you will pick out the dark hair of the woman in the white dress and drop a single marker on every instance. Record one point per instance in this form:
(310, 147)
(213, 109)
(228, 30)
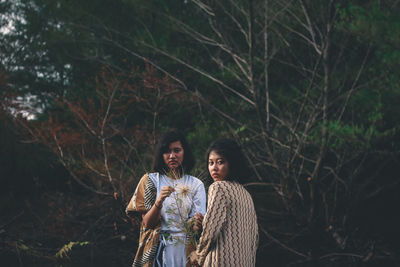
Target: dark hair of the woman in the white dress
(163, 146)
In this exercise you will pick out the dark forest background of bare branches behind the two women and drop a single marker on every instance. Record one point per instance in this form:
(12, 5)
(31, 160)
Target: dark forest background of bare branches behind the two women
(309, 89)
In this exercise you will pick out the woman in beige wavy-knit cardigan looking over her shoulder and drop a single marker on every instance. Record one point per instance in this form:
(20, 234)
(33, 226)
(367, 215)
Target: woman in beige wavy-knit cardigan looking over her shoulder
(230, 230)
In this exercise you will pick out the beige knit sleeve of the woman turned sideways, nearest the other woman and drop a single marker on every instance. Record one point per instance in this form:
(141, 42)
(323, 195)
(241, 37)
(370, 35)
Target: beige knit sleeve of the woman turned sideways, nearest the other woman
(213, 221)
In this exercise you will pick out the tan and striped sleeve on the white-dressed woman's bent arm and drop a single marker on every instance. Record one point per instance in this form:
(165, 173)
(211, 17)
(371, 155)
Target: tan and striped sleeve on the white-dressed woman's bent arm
(143, 198)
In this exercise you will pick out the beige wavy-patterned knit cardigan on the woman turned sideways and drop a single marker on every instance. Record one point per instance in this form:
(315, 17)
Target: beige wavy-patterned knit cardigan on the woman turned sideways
(230, 230)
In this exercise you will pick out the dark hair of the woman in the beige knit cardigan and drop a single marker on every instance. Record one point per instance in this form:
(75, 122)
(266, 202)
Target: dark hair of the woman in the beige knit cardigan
(239, 170)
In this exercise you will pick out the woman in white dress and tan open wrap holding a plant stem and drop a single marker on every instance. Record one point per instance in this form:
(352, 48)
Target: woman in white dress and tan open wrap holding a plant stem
(167, 198)
